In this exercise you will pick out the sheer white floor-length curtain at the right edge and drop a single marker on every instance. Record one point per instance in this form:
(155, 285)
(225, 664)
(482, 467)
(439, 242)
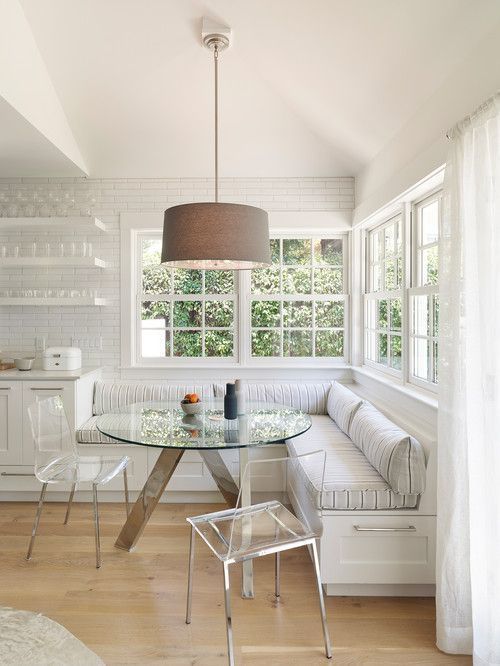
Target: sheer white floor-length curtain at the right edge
(468, 573)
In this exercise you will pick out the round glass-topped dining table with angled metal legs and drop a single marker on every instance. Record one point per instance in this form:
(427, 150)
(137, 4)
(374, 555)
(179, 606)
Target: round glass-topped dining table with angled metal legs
(163, 425)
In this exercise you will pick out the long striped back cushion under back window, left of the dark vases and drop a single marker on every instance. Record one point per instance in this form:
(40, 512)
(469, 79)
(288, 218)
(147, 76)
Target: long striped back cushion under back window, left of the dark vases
(113, 395)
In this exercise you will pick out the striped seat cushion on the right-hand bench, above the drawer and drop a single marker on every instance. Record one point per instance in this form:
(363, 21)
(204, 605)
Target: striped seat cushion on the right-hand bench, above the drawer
(350, 481)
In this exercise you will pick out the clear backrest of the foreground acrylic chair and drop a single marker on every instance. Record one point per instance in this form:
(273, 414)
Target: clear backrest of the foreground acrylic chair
(274, 503)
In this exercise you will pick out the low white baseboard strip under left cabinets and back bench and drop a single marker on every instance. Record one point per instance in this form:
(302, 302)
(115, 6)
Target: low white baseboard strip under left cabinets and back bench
(171, 497)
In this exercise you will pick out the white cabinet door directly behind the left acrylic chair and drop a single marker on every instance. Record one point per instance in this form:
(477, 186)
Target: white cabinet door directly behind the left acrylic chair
(36, 391)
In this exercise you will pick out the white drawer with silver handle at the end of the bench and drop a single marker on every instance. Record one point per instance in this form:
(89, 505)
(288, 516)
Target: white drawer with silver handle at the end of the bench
(373, 549)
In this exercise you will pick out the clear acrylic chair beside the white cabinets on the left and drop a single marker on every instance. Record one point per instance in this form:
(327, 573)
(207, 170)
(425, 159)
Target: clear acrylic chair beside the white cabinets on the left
(57, 461)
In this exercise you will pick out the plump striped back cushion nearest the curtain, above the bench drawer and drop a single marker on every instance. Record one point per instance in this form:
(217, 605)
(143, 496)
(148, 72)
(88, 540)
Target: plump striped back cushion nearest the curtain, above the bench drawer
(397, 456)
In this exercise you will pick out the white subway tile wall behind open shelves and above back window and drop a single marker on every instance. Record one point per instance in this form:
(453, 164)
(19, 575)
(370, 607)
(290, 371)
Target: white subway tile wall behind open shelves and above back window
(106, 199)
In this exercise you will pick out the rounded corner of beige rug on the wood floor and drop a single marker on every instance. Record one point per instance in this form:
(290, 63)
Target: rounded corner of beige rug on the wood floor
(29, 639)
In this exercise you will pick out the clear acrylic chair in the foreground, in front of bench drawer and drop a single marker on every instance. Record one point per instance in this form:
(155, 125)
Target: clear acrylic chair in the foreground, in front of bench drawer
(261, 526)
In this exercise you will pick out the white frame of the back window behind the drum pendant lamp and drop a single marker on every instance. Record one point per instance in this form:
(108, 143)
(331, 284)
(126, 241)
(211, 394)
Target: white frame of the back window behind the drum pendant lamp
(133, 225)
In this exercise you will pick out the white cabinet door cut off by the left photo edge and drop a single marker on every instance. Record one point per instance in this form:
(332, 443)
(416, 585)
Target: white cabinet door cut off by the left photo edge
(11, 433)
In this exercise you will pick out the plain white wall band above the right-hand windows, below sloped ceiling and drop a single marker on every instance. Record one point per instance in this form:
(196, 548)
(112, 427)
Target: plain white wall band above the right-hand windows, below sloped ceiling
(420, 146)
